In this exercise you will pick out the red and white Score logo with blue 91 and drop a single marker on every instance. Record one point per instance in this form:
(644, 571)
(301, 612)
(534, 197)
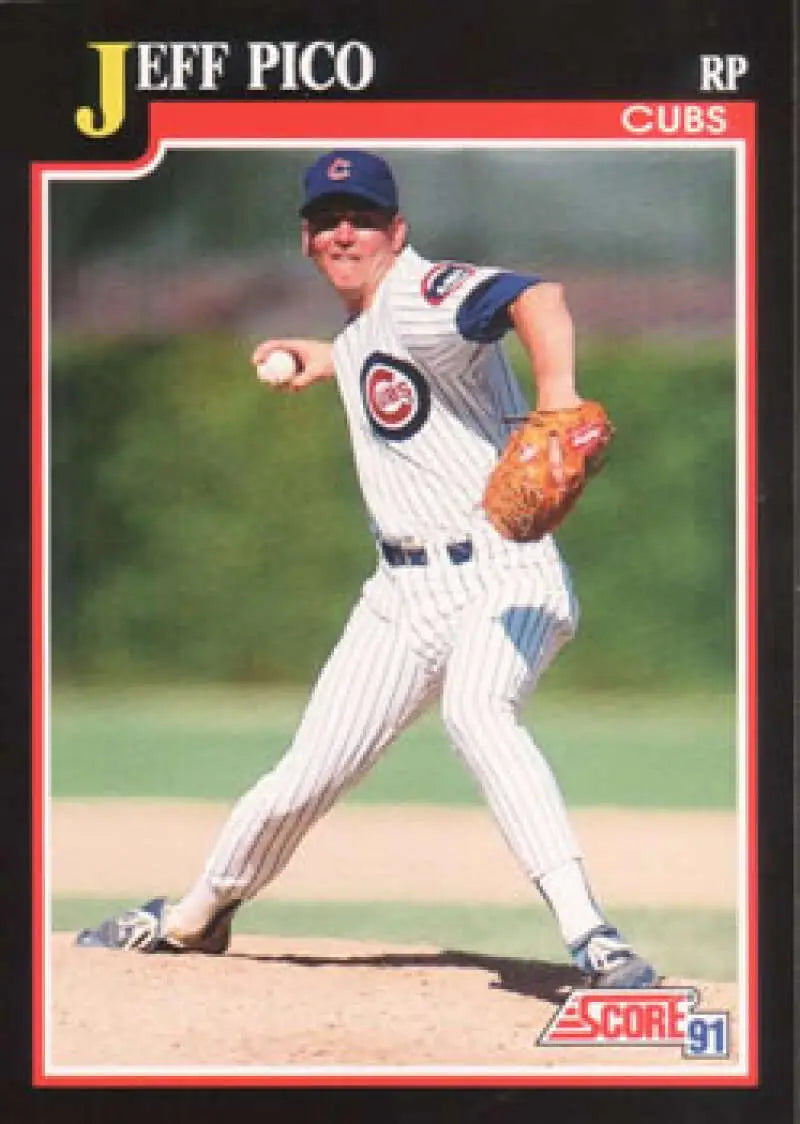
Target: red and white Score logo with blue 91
(654, 1018)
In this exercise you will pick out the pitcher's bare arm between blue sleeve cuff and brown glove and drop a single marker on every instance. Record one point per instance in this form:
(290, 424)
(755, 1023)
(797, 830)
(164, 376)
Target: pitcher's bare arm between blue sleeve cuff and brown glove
(543, 323)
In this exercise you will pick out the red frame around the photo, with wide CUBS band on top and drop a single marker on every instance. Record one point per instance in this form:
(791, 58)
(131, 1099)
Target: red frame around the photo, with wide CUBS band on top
(413, 122)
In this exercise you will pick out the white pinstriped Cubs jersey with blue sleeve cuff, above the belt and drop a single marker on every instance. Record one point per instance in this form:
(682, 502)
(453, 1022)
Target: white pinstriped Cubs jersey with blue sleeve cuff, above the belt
(429, 394)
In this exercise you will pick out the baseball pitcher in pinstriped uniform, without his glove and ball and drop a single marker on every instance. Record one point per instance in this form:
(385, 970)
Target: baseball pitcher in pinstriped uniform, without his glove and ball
(454, 611)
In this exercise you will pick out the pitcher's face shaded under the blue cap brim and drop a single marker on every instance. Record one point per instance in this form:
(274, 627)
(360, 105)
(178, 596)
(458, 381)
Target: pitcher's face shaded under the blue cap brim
(353, 247)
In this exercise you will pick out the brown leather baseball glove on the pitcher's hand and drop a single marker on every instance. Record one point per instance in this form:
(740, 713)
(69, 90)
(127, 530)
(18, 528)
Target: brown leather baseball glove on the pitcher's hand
(544, 469)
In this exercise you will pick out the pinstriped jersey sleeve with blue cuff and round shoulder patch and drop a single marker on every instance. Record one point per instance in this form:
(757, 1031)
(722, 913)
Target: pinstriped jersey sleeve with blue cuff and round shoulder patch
(452, 307)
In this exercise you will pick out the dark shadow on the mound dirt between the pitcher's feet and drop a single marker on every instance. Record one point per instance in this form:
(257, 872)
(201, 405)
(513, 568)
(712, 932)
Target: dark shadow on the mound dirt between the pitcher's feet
(542, 980)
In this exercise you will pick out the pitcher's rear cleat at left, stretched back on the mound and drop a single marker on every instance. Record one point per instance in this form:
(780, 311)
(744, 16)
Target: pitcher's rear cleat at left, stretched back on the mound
(148, 930)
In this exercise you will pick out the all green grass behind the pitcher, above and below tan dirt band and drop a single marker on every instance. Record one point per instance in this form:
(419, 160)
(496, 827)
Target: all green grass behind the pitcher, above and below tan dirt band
(670, 753)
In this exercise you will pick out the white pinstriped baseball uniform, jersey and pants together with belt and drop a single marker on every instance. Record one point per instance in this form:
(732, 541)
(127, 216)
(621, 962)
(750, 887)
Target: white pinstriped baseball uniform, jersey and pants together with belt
(452, 611)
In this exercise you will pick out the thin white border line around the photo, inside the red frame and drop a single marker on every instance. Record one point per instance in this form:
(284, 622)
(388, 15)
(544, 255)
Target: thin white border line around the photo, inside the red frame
(717, 1069)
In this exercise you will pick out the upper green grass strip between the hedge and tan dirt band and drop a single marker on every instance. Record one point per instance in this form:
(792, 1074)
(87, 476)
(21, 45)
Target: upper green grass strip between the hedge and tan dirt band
(212, 744)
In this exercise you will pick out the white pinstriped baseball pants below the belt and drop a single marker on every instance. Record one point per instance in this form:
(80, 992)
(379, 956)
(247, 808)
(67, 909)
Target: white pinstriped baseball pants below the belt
(477, 636)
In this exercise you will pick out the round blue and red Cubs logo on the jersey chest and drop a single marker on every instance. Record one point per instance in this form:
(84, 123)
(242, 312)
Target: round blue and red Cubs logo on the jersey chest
(396, 396)
